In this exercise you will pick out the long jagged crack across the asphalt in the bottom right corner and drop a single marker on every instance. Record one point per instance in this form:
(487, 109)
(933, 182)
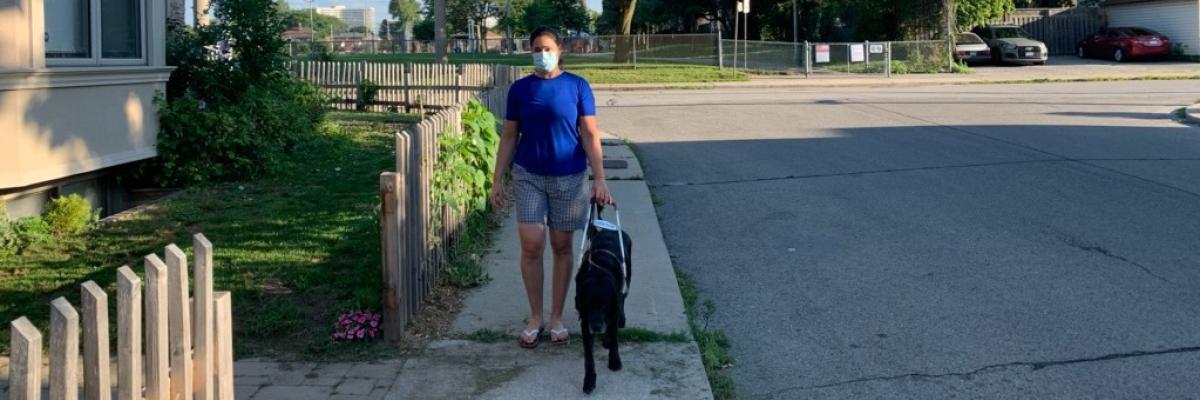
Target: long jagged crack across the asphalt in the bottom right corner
(1031, 366)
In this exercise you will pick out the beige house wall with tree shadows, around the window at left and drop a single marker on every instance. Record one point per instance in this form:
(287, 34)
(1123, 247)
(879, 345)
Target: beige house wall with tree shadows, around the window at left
(62, 126)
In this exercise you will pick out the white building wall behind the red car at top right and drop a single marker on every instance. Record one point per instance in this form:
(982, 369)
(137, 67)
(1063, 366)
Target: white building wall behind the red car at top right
(1180, 21)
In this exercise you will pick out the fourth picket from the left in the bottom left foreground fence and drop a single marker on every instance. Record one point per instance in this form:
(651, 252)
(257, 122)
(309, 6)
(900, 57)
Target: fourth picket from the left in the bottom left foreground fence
(129, 335)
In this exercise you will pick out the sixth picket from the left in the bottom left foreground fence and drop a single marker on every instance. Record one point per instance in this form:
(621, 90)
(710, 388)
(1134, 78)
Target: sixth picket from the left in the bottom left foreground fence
(181, 325)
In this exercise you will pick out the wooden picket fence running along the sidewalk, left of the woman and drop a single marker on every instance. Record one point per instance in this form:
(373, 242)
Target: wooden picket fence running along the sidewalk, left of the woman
(415, 252)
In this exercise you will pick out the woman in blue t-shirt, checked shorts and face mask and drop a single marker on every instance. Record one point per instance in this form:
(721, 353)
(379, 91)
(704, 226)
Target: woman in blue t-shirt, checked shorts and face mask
(550, 139)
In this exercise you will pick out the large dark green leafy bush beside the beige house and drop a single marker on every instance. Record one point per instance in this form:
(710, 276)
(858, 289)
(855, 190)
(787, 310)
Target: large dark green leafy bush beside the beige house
(235, 115)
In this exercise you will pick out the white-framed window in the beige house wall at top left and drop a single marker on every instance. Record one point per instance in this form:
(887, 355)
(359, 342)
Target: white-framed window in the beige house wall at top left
(81, 33)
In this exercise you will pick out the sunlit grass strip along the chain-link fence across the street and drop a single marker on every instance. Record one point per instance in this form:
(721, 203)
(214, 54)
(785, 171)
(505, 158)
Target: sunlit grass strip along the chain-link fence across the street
(597, 73)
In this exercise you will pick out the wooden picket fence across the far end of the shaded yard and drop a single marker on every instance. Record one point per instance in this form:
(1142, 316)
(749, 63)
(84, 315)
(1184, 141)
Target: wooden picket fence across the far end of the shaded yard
(406, 87)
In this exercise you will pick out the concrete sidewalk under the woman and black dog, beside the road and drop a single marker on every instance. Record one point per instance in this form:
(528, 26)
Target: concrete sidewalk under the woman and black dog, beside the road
(493, 367)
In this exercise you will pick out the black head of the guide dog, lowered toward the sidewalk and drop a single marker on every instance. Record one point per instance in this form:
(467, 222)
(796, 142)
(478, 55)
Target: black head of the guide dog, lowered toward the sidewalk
(598, 290)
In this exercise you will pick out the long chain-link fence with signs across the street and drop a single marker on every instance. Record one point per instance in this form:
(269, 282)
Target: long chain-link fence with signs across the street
(757, 57)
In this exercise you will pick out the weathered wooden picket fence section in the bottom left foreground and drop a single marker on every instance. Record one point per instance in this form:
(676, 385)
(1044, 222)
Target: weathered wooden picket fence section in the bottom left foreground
(189, 343)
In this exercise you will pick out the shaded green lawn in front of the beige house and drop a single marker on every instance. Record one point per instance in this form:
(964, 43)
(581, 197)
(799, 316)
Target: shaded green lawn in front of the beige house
(296, 249)
